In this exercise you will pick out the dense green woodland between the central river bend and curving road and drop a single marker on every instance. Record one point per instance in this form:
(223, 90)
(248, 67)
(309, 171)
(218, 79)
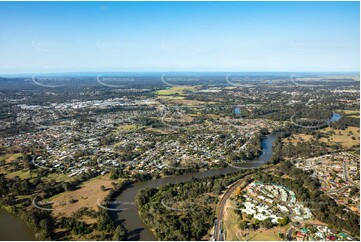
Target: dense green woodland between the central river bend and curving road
(184, 211)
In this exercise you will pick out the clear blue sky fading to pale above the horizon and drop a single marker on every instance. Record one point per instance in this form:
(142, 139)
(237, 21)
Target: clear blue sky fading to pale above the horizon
(41, 37)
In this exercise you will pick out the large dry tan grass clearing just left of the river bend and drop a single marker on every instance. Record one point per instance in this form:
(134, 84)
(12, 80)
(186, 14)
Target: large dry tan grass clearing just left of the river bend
(85, 197)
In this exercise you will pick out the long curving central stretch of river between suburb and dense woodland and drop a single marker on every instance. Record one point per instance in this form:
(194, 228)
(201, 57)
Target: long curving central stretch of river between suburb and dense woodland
(130, 217)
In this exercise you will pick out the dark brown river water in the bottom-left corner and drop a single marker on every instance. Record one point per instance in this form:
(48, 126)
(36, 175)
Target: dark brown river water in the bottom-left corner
(12, 228)
